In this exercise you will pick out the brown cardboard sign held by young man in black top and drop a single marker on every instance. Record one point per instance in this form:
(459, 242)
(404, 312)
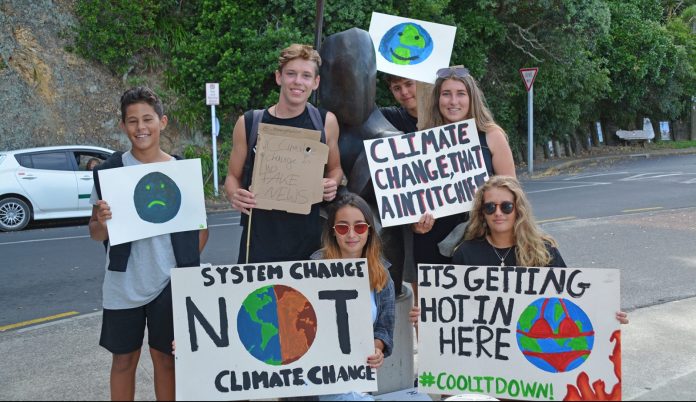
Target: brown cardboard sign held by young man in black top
(288, 168)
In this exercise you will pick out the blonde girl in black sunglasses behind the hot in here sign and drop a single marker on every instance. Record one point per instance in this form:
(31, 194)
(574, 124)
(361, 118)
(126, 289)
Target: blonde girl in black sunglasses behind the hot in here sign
(502, 231)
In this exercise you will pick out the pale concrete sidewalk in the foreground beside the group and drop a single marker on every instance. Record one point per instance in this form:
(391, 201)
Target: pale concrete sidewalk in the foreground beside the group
(62, 360)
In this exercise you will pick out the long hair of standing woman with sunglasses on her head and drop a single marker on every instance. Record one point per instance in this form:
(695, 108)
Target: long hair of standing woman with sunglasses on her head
(478, 108)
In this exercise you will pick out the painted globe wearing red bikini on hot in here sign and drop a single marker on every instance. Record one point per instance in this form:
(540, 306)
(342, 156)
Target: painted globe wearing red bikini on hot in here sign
(555, 335)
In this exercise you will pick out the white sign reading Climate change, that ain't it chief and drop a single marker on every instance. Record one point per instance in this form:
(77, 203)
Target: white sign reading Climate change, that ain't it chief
(436, 170)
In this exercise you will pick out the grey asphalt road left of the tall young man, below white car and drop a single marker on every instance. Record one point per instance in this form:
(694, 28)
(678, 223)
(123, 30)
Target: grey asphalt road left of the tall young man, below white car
(57, 271)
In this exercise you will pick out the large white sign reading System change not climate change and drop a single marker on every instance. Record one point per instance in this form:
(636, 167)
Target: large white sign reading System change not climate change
(272, 330)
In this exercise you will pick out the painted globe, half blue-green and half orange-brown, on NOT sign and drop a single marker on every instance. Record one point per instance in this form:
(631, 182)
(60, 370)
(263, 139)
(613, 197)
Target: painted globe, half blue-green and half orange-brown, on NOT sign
(277, 324)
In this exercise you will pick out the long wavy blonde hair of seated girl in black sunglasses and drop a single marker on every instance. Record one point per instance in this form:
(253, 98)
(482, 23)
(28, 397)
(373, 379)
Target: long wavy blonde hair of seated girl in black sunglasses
(531, 242)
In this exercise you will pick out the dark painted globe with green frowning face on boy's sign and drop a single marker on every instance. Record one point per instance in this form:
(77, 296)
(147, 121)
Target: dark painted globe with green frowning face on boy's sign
(157, 198)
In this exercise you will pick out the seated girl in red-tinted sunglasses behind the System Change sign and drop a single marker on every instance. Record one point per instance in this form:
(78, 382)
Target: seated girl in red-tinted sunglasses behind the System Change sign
(350, 233)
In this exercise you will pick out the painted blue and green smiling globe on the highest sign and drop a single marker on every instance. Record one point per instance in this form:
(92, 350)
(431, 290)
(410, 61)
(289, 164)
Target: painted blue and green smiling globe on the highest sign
(406, 44)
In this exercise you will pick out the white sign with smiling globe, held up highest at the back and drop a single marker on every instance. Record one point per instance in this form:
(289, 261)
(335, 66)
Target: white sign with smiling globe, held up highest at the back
(411, 48)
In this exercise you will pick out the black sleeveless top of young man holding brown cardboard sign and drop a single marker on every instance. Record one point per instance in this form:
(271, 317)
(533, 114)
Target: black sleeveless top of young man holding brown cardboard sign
(280, 235)
